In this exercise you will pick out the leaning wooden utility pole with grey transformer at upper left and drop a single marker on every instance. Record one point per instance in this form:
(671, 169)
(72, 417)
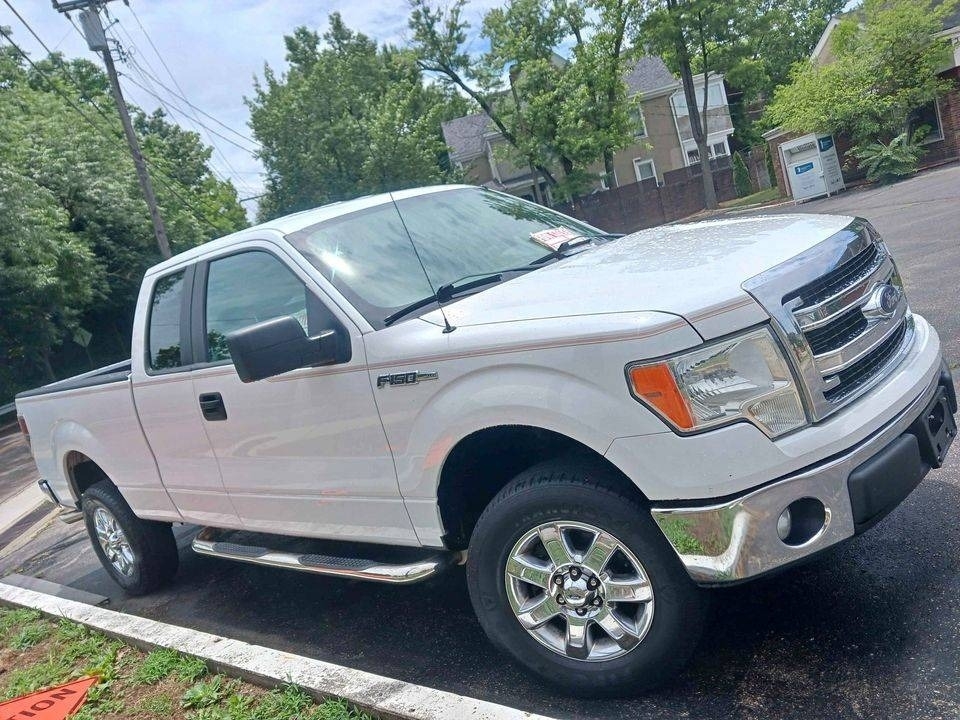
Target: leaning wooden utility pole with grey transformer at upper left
(97, 42)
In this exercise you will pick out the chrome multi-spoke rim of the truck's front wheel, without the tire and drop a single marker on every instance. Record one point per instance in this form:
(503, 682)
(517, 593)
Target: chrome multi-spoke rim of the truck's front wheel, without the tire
(579, 591)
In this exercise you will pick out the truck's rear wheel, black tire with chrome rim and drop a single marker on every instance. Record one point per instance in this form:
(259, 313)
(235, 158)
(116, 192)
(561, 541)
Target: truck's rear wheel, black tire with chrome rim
(140, 555)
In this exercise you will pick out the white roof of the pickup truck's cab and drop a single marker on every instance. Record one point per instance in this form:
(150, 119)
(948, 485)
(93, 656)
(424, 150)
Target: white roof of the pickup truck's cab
(299, 220)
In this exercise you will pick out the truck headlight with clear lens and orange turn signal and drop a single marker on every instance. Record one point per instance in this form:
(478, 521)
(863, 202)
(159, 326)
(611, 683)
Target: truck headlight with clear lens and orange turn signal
(743, 377)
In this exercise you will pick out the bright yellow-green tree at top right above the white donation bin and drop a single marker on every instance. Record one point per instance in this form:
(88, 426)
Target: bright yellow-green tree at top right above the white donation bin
(885, 59)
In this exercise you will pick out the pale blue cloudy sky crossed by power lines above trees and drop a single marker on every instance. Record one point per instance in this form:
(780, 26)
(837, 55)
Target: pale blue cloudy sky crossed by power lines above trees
(213, 49)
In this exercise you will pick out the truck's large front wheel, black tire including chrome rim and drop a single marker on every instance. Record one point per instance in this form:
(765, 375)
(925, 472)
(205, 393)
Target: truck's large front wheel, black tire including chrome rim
(569, 574)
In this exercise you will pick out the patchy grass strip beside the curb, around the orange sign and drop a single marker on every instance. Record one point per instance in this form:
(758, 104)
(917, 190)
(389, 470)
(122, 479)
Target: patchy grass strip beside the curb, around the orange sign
(36, 653)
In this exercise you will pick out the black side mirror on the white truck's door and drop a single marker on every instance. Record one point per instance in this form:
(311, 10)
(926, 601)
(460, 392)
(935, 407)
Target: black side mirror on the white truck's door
(277, 346)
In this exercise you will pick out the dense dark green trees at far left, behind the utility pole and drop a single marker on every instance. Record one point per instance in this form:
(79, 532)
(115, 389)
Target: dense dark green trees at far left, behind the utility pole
(75, 234)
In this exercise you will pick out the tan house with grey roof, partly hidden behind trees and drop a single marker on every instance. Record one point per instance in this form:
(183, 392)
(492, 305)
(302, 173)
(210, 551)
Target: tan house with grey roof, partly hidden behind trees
(663, 139)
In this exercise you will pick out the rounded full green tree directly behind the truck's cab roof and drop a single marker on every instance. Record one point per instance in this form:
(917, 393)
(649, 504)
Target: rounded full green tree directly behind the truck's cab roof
(347, 118)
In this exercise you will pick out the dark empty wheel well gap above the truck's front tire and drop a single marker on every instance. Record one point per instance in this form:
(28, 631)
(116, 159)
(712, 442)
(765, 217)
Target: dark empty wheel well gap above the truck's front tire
(481, 464)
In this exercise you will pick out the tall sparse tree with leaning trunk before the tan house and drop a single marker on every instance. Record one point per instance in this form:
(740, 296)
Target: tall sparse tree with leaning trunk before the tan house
(572, 112)
